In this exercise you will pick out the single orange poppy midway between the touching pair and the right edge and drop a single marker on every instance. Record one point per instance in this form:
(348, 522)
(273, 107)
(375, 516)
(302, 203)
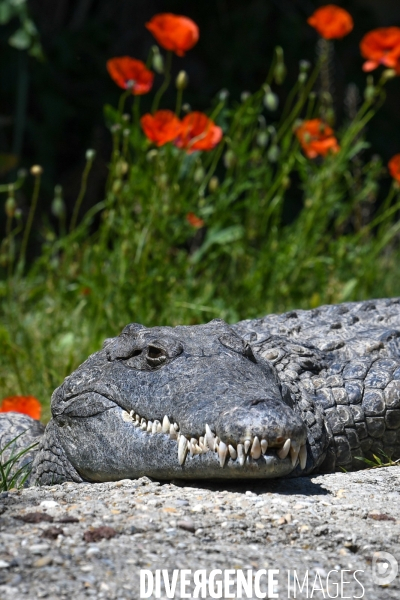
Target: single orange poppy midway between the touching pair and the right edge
(316, 138)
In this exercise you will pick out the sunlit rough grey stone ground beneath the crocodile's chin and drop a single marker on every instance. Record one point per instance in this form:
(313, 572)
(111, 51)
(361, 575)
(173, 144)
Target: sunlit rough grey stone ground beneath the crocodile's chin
(97, 537)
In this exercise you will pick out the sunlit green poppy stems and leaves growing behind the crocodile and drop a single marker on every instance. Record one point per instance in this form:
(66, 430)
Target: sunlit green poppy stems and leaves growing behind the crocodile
(135, 256)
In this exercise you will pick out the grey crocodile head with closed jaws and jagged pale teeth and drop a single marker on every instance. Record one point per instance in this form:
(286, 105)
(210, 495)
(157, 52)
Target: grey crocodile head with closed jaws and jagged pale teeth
(184, 402)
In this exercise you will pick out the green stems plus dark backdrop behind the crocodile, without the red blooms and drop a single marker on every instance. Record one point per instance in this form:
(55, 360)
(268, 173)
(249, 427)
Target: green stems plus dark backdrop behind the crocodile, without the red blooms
(280, 230)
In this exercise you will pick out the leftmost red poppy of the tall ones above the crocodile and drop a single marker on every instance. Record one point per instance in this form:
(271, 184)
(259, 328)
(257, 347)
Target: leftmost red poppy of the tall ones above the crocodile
(129, 72)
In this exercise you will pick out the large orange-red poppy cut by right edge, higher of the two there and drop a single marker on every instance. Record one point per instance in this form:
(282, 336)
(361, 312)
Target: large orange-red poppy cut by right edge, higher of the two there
(381, 47)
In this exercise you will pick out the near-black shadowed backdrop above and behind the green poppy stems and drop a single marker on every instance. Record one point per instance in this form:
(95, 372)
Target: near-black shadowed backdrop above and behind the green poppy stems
(51, 106)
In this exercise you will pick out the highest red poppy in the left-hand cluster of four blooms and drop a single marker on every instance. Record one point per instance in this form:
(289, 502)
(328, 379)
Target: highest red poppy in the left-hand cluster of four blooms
(174, 32)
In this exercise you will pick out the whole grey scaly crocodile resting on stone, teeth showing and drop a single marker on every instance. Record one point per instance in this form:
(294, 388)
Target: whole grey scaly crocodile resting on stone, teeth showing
(281, 396)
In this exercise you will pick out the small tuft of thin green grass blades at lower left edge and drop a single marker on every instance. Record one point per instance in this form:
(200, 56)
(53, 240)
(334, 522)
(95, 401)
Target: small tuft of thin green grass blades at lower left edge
(11, 475)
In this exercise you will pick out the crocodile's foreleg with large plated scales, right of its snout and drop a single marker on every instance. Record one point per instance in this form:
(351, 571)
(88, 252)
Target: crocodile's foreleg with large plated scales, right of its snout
(361, 401)
